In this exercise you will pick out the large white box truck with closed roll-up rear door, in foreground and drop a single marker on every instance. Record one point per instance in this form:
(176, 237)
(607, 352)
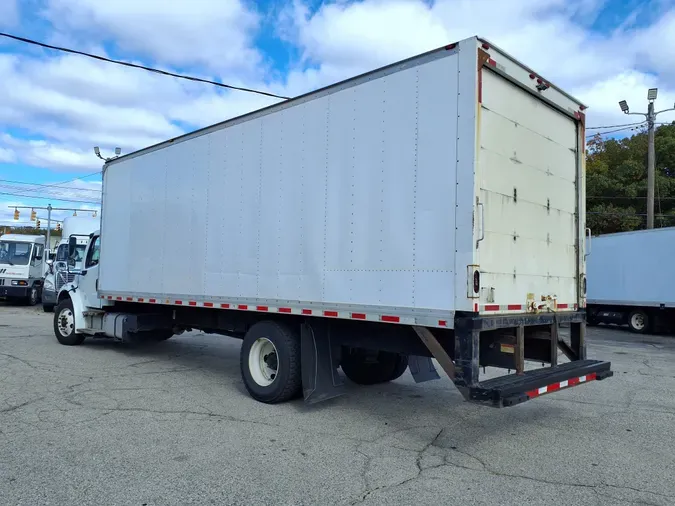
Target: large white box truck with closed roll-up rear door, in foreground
(431, 208)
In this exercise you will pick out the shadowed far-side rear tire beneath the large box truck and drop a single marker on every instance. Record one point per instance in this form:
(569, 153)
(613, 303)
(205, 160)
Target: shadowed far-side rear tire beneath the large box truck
(370, 368)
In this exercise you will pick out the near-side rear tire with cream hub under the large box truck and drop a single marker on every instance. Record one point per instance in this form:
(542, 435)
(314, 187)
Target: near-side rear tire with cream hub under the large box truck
(270, 362)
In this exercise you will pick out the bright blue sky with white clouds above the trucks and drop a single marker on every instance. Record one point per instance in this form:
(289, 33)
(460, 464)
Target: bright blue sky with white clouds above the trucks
(54, 108)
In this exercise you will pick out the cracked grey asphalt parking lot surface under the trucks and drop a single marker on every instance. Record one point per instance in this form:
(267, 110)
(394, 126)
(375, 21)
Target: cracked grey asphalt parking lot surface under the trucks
(171, 424)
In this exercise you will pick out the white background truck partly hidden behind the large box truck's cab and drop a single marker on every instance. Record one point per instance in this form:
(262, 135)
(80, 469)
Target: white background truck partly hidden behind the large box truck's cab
(58, 273)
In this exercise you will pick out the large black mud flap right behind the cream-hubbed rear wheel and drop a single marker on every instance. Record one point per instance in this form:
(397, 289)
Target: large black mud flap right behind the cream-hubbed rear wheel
(320, 359)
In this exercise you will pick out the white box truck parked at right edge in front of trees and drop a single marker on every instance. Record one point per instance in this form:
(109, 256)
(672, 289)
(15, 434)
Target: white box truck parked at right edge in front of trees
(630, 280)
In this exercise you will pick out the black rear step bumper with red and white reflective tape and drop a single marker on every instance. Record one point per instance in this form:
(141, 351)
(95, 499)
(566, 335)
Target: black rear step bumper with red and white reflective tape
(513, 389)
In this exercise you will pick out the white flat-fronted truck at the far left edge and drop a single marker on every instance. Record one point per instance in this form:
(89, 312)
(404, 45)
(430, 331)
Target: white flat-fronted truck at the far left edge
(22, 262)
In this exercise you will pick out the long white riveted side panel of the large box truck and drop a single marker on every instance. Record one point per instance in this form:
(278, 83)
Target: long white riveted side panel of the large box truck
(348, 198)
